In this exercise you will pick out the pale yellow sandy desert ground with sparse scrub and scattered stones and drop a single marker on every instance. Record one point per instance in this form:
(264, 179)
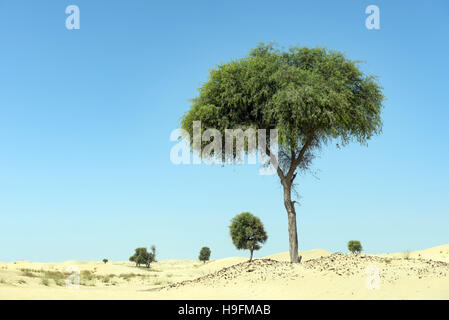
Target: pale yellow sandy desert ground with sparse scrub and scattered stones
(321, 275)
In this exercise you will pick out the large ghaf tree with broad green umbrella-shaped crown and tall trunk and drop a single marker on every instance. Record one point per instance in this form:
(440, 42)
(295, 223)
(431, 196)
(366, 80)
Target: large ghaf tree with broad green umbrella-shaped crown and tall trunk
(311, 96)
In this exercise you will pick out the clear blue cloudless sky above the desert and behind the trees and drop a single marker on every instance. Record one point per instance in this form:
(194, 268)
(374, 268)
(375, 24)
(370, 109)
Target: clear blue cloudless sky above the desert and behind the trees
(86, 115)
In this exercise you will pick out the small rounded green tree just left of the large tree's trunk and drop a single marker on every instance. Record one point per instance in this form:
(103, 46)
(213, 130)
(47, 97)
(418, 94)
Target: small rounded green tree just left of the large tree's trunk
(247, 232)
